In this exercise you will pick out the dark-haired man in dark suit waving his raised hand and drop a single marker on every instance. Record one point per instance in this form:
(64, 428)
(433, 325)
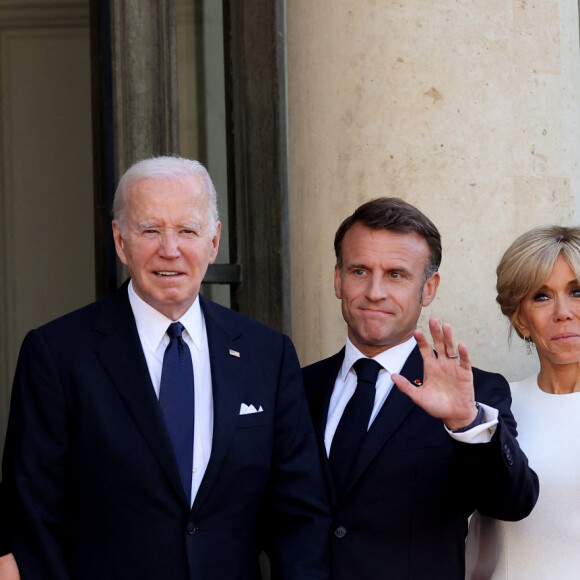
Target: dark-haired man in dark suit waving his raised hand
(406, 466)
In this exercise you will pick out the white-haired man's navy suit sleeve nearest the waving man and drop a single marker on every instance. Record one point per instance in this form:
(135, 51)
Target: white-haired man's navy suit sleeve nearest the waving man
(297, 509)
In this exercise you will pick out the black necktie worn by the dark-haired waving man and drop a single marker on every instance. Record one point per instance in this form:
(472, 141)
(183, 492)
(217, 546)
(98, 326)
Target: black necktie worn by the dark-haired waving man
(353, 424)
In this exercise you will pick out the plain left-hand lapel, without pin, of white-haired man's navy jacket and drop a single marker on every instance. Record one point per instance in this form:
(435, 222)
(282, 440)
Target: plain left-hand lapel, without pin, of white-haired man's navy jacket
(119, 349)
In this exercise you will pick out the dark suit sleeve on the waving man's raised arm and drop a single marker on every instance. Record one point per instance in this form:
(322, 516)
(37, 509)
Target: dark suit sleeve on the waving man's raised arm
(496, 475)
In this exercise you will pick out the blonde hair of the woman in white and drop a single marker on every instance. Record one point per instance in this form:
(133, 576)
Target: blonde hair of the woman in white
(528, 262)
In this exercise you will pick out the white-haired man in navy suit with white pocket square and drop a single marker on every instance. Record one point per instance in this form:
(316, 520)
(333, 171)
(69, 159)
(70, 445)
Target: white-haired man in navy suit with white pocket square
(155, 434)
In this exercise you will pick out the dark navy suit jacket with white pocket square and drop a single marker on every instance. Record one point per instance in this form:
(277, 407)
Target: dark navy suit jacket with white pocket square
(94, 485)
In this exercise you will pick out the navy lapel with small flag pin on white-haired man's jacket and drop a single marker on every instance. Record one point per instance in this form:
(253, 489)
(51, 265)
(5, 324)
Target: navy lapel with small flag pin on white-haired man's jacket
(223, 336)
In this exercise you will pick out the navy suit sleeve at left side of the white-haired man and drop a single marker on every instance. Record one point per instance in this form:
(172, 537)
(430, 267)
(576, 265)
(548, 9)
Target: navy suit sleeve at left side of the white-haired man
(34, 464)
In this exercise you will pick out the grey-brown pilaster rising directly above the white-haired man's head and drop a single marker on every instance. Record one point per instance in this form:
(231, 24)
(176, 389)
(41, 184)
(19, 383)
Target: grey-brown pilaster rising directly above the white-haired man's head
(144, 80)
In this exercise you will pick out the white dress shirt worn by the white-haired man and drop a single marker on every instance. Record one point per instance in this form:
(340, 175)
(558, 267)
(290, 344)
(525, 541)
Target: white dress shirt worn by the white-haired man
(152, 328)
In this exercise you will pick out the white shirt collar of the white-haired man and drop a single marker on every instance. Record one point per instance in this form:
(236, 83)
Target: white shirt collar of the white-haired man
(152, 325)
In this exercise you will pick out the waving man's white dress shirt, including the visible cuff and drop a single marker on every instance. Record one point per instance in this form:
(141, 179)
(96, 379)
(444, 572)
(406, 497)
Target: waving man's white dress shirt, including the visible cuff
(392, 360)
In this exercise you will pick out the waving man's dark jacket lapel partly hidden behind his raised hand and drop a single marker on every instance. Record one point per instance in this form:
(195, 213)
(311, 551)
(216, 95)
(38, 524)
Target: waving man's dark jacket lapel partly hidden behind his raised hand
(393, 413)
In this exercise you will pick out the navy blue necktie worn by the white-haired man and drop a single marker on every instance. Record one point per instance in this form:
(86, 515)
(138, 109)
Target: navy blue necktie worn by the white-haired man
(177, 401)
